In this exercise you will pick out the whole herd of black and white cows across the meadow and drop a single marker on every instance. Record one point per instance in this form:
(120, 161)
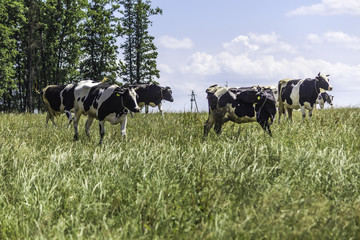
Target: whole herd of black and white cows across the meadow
(110, 102)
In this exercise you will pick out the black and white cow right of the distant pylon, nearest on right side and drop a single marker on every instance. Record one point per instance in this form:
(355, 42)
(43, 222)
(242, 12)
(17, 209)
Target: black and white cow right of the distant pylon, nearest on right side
(239, 105)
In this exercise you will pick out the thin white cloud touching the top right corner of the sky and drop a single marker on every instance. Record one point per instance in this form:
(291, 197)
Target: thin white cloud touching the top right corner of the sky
(329, 7)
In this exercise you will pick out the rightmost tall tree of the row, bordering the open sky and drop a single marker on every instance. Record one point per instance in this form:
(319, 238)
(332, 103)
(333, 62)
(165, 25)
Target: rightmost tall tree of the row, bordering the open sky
(138, 48)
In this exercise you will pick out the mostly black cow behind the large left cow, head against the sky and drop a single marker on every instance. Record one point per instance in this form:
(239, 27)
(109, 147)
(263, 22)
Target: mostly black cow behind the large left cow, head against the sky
(152, 94)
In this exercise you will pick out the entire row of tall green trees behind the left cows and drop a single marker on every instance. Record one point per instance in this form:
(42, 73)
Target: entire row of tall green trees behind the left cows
(45, 42)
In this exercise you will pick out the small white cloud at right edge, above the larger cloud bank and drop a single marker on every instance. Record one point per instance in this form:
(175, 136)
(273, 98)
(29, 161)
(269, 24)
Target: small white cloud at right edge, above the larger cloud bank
(339, 39)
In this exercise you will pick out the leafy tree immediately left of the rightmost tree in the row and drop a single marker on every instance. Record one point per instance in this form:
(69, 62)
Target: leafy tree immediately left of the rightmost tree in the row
(99, 42)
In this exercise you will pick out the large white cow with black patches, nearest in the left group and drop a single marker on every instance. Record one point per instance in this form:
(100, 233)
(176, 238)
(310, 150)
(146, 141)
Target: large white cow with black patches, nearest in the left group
(105, 102)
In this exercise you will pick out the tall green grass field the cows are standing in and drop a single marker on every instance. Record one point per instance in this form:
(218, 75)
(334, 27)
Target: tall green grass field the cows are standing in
(164, 182)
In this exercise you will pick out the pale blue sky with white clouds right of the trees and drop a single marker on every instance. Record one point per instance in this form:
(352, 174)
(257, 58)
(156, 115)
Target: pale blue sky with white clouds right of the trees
(245, 43)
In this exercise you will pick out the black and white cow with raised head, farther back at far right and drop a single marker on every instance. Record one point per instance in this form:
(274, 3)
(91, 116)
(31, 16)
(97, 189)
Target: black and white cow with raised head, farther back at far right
(301, 93)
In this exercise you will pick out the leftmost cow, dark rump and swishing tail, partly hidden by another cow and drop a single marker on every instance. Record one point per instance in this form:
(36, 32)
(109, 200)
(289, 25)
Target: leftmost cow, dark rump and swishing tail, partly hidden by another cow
(58, 99)
